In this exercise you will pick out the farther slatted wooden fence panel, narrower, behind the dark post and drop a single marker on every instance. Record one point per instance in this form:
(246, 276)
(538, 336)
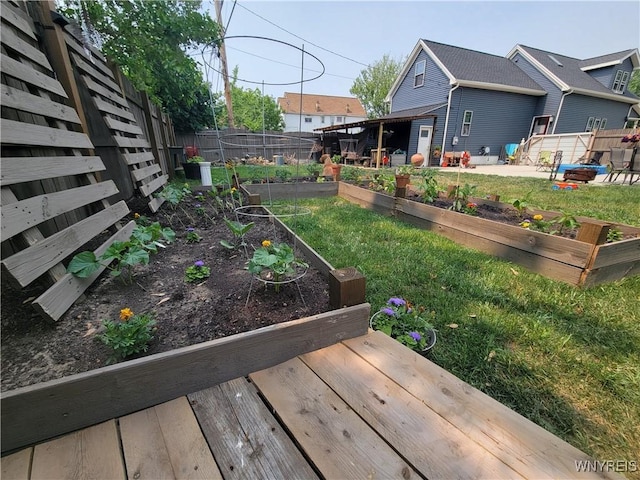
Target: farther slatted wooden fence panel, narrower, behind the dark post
(108, 98)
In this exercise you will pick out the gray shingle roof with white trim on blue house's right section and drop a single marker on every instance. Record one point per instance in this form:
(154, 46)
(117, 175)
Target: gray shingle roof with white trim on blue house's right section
(570, 73)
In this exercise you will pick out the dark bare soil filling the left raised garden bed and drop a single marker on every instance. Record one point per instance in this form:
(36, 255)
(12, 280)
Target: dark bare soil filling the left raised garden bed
(230, 301)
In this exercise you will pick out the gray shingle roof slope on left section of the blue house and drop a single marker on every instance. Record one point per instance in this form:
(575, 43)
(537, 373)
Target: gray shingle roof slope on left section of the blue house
(471, 65)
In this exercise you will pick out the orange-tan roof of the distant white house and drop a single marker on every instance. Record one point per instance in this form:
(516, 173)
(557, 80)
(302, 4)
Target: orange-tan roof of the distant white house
(321, 105)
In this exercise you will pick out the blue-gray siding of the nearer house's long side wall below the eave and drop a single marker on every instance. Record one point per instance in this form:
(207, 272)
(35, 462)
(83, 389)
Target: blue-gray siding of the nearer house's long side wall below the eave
(498, 118)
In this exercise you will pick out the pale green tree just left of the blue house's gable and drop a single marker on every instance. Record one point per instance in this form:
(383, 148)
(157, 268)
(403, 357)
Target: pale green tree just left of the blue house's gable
(373, 85)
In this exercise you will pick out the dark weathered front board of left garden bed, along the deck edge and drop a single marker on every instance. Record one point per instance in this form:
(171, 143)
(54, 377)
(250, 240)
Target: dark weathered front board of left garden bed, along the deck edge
(38, 412)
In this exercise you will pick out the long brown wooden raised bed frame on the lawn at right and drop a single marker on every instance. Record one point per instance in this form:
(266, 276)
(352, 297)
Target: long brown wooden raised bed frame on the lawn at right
(587, 261)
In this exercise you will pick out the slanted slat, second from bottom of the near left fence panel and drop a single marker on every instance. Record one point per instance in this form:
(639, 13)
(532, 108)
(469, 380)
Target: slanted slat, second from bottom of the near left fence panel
(28, 264)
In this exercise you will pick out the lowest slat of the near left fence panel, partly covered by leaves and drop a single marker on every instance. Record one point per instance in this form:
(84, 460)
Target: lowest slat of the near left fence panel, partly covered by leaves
(58, 298)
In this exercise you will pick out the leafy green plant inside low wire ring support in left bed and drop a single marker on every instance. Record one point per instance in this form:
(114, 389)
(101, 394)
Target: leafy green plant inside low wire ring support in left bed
(273, 262)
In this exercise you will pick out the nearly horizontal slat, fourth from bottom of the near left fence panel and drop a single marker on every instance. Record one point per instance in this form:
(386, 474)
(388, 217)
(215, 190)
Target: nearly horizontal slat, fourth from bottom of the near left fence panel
(28, 169)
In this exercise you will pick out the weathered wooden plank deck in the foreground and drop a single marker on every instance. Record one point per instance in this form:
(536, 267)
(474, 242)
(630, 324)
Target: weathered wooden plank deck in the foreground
(362, 408)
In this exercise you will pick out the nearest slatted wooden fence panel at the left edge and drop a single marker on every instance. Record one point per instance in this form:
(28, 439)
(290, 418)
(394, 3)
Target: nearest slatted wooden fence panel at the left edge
(52, 204)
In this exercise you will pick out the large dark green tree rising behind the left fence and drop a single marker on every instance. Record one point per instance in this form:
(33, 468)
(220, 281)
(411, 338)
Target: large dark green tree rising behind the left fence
(148, 40)
